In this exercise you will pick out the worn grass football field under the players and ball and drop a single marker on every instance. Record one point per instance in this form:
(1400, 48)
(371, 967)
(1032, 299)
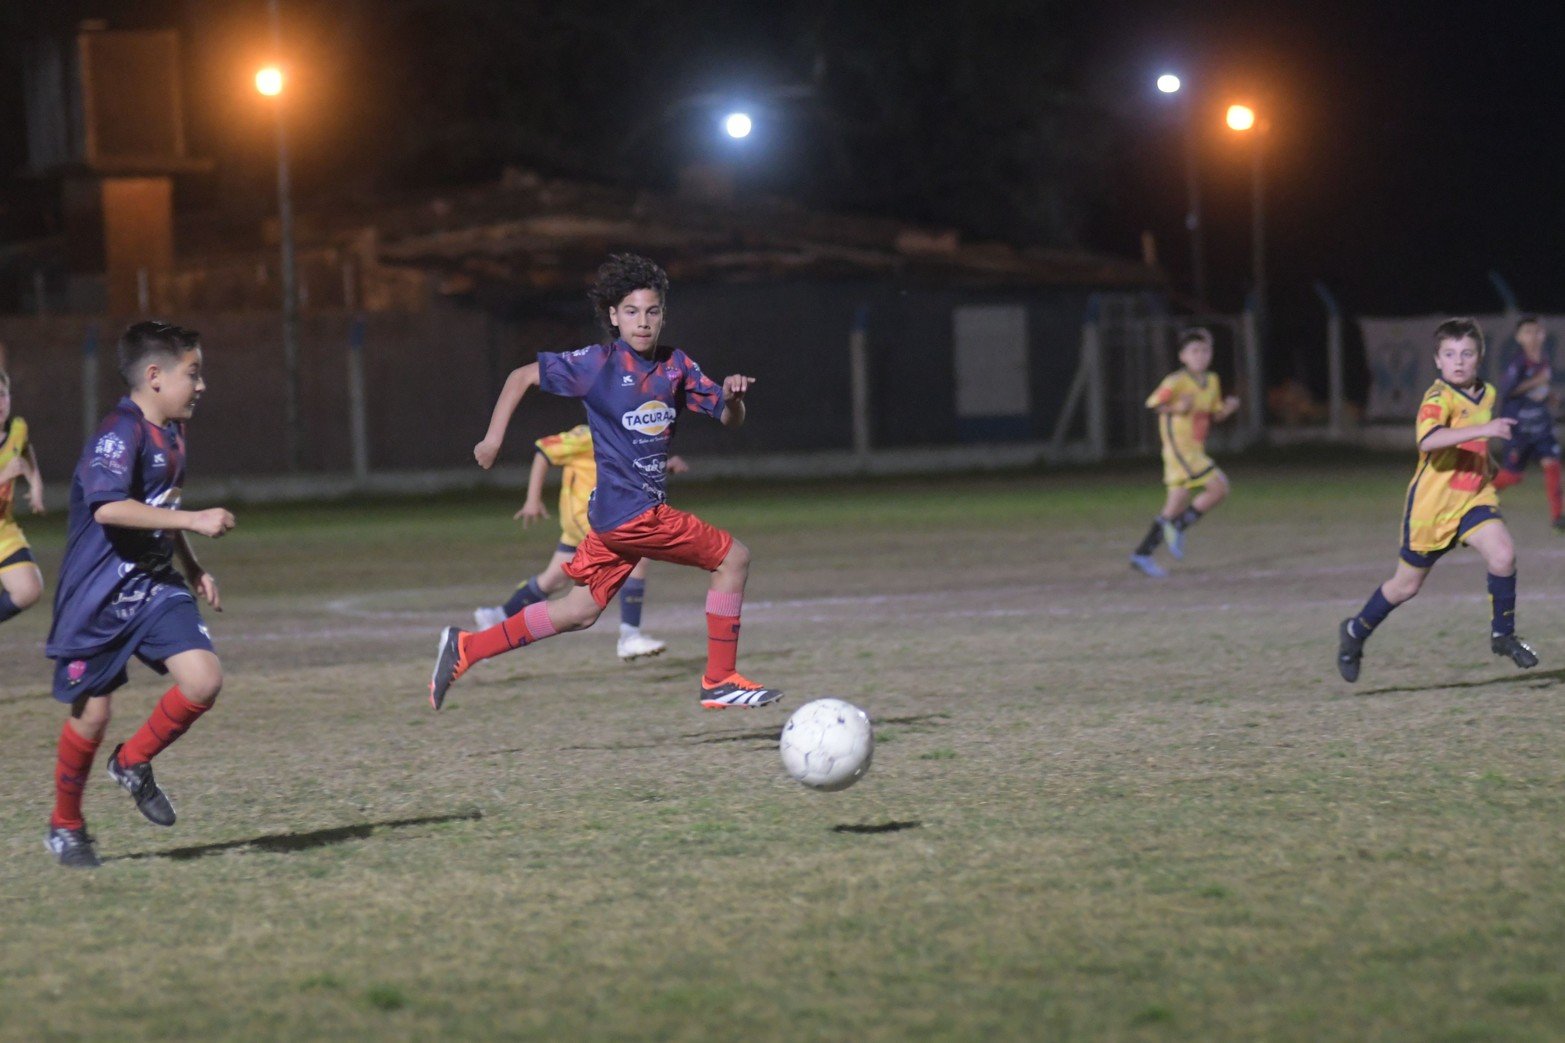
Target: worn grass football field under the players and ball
(1103, 807)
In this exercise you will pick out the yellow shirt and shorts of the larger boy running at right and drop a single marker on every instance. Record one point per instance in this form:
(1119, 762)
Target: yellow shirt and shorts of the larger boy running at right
(1452, 482)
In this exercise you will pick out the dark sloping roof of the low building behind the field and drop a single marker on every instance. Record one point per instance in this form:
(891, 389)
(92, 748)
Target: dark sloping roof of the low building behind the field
(539, 234)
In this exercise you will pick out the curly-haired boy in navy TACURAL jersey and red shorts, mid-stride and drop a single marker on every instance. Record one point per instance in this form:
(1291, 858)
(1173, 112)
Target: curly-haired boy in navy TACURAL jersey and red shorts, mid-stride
(635, 392)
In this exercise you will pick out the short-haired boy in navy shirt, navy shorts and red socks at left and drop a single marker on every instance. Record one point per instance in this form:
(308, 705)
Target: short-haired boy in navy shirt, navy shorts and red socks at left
(121, 594)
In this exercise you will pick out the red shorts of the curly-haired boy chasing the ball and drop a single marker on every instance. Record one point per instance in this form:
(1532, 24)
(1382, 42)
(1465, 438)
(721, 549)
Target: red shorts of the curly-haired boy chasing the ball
(605, 560)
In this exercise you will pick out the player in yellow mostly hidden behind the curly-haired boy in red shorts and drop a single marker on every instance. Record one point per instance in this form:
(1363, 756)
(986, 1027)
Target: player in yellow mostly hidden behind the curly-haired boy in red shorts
(572, 453)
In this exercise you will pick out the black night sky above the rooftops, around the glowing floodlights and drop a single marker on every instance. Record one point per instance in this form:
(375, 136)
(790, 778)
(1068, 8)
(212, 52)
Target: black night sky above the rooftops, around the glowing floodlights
(1412, 148)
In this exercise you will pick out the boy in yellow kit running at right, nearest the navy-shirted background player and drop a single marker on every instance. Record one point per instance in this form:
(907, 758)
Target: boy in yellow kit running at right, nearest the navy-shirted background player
(1452, 500)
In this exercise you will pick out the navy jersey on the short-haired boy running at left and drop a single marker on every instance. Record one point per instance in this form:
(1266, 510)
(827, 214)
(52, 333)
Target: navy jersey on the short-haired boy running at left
(112, 576)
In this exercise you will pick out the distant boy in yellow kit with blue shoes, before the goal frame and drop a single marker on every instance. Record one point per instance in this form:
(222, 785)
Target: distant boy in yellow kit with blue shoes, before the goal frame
(1189, 402)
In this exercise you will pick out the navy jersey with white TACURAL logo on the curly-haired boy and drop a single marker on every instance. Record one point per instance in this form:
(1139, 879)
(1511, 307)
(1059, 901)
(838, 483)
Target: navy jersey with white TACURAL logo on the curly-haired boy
(633, 406)
